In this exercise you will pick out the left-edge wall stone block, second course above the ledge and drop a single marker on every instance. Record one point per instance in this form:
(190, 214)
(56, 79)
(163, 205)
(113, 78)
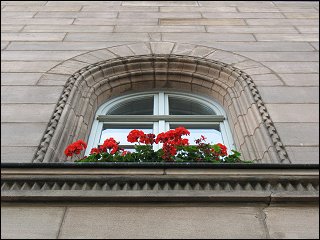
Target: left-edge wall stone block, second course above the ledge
(22, 134)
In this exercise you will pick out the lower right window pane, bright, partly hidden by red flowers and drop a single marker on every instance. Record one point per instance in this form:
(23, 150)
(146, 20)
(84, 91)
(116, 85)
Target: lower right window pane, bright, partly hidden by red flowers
(212, 133)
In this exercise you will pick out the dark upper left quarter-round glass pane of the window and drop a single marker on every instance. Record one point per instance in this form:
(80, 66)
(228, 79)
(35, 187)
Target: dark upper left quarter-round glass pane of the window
(137, 106)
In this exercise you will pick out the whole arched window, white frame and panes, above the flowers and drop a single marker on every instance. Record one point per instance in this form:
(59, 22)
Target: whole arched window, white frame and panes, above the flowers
(156, 112)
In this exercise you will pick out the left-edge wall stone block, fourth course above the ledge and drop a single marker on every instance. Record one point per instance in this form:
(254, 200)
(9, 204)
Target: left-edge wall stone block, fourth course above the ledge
(30, 94)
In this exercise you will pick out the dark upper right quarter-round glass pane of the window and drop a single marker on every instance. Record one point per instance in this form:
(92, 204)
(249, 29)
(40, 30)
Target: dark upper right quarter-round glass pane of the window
(186, 106)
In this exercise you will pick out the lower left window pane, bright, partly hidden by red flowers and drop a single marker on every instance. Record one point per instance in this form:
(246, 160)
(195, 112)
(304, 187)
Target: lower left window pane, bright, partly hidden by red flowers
(120, 132)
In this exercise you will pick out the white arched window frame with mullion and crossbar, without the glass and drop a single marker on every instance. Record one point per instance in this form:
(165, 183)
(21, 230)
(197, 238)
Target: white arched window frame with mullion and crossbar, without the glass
(161, 119)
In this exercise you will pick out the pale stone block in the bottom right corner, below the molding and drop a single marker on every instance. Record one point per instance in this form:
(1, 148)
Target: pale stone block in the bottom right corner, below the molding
(293, 222)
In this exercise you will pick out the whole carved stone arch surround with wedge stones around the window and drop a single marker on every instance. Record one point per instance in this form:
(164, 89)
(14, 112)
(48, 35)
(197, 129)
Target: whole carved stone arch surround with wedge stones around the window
(106, 73)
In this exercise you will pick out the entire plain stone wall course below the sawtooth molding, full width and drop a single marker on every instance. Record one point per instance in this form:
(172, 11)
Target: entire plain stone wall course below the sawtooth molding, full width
(159, 221)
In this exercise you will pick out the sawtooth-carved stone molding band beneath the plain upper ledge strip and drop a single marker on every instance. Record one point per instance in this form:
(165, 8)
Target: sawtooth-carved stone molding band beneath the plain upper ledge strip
(161, 188)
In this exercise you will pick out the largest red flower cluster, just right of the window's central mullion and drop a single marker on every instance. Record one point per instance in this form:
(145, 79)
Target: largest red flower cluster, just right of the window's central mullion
(171, 139)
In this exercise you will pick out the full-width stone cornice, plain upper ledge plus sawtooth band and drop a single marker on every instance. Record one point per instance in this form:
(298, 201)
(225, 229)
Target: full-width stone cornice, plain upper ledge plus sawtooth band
(161, 184)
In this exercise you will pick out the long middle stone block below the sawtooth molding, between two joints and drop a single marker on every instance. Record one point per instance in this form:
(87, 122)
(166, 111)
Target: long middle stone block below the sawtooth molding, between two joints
(162, 222)
